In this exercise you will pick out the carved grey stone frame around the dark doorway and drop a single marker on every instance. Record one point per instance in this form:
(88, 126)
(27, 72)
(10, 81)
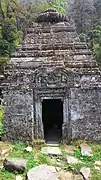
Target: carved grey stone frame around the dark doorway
(55, 93)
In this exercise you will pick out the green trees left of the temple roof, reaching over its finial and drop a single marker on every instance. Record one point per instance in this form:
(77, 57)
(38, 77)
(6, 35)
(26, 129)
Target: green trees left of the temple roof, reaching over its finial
(16, 18)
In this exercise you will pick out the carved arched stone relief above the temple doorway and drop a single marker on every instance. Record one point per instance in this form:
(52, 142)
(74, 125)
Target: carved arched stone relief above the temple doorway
(53, 78)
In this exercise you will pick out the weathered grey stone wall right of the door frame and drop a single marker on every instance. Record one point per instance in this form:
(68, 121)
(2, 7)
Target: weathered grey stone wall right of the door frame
(86, 113)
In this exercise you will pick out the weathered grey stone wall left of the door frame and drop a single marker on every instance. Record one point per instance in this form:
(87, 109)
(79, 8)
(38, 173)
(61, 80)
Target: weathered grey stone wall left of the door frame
(18, 120)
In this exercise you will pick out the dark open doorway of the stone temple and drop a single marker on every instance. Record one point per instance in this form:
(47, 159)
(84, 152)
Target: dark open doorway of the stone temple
(52, 115)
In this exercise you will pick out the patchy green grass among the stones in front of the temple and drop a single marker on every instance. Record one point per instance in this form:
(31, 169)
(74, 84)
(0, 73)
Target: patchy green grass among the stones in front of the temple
(36, 158)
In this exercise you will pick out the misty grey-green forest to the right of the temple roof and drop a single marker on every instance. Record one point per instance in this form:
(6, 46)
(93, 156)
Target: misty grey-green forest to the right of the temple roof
(87, 17)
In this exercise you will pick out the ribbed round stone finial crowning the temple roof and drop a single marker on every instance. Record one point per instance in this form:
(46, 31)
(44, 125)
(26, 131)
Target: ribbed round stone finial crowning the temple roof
(50, 15)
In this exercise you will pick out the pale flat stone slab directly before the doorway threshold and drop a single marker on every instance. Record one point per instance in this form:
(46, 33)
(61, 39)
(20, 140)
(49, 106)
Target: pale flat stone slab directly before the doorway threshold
(56, 151)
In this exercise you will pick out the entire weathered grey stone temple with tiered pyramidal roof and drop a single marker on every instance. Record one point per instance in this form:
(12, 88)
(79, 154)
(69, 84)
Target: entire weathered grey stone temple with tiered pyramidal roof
(52, 86)
